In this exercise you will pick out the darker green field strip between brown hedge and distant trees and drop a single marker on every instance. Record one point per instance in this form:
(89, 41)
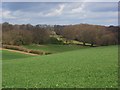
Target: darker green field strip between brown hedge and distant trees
(55, 48)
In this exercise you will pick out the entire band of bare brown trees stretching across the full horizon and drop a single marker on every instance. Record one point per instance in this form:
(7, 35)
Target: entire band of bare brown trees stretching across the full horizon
(40, 34)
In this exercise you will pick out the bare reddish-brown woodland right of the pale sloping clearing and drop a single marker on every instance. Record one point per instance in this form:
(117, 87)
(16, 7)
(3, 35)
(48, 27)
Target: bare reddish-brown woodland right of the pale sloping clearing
(93, 34)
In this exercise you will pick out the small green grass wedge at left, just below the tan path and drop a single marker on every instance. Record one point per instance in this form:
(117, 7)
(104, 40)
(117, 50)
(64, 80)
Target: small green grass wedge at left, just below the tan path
(8, 55)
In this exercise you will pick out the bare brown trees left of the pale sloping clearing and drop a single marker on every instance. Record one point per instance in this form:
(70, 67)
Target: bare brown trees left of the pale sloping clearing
(24, 34)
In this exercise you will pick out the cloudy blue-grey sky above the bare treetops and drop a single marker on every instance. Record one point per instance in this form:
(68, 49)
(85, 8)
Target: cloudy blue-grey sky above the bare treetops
(100, 13)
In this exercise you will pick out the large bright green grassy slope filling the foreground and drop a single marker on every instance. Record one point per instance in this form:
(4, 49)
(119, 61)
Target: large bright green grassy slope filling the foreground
(91, 67)
